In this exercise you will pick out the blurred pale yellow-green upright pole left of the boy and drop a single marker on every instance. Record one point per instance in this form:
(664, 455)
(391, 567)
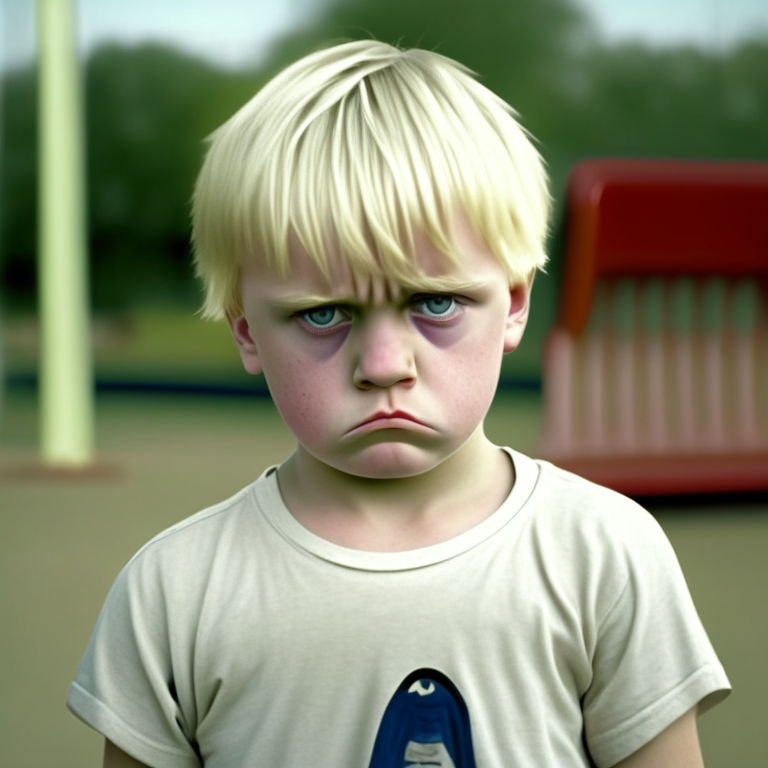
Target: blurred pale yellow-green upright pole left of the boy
(66, 377)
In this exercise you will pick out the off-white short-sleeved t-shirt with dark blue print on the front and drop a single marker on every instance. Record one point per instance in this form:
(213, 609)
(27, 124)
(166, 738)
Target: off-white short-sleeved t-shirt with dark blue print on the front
(557, 629)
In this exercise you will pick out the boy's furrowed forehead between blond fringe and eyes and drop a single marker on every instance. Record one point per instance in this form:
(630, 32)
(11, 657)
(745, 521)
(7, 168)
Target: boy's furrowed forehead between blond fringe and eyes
(472, 266)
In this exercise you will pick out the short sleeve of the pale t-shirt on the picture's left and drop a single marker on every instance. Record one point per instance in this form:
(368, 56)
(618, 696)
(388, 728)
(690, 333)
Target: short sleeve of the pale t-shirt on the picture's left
(127, 686)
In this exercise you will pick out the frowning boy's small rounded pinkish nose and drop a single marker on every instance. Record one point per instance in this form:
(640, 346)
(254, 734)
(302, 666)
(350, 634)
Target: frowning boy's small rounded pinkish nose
(385, 354)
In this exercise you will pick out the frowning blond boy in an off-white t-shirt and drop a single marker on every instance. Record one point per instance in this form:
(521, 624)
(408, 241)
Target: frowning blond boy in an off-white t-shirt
(399, 591)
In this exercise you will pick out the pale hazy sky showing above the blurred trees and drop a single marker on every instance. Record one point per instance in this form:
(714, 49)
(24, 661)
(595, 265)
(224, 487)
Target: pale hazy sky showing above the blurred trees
(237, 32)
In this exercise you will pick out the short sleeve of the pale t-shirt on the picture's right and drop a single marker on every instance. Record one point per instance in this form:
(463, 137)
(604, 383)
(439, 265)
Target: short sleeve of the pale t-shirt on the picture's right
(653, 660)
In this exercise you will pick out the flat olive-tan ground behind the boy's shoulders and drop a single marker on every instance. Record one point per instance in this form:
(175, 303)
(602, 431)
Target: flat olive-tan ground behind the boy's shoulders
(165, 457)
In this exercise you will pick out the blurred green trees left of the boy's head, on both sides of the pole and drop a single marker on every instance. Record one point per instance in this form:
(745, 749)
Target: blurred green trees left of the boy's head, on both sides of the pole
(148, 110)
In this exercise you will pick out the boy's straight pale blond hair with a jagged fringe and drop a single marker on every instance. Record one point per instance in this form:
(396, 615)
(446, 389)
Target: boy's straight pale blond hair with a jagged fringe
(355, 148)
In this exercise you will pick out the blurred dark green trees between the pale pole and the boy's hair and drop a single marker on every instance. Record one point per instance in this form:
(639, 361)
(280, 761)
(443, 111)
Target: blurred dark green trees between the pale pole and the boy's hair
(149, 110)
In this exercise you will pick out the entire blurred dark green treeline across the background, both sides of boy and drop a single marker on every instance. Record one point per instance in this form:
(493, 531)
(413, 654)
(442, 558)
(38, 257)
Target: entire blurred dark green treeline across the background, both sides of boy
(149, 108)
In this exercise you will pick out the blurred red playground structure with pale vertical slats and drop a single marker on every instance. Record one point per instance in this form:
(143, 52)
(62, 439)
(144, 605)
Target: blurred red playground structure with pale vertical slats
(656, 375)
